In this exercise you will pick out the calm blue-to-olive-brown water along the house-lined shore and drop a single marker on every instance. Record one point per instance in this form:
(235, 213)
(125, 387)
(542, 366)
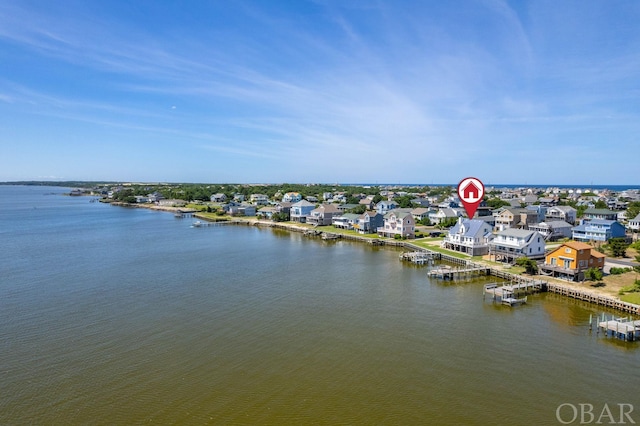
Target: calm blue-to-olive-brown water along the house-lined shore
(111, 315)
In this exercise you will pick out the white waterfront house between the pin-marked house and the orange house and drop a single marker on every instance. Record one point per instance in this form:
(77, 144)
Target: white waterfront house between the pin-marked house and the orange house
(511, 244)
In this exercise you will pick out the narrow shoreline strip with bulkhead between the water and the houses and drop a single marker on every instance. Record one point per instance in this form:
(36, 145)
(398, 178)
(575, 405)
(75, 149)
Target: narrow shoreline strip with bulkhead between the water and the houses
(565, 288)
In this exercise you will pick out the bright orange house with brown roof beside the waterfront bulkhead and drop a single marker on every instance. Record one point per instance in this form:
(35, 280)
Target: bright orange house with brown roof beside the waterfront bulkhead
(571, 259)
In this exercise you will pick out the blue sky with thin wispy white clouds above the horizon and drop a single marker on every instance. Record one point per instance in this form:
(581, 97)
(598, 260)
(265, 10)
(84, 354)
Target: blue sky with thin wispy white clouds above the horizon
(320, 91)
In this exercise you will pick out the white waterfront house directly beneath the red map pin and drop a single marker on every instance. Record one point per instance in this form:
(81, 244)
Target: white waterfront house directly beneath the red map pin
(470, 236)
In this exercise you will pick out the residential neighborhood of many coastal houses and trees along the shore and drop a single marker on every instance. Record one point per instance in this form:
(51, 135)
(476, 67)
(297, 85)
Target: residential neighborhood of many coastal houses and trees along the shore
(561, 229)
